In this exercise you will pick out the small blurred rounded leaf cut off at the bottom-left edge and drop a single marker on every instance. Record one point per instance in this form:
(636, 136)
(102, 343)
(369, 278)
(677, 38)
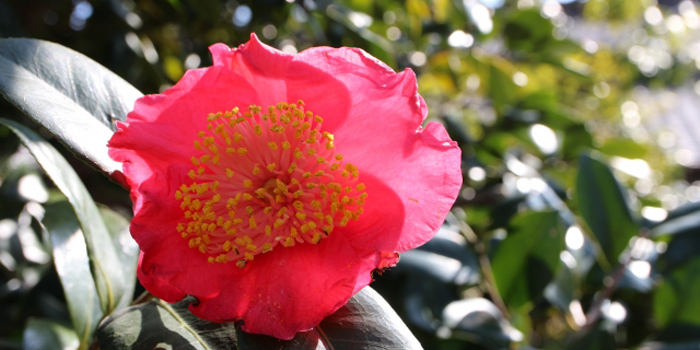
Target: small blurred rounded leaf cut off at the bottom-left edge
(48, 335)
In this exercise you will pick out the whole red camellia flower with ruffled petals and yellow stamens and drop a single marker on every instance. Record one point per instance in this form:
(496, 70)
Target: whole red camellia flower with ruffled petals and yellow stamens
(271, 185)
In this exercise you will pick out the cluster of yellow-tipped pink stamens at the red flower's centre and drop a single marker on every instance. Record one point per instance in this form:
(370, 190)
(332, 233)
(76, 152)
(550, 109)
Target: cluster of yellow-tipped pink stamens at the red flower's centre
(260, 180)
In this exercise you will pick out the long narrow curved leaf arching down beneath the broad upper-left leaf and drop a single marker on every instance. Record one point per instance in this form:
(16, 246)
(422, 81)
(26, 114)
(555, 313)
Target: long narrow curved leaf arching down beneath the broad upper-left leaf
(106, 266)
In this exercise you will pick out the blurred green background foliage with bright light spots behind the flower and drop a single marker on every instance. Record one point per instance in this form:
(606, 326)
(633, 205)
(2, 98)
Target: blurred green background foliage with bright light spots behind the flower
(578, 223)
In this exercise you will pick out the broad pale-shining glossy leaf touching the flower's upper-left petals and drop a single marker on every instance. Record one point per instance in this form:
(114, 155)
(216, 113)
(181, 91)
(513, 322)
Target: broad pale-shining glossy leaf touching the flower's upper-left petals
(74, 97)
